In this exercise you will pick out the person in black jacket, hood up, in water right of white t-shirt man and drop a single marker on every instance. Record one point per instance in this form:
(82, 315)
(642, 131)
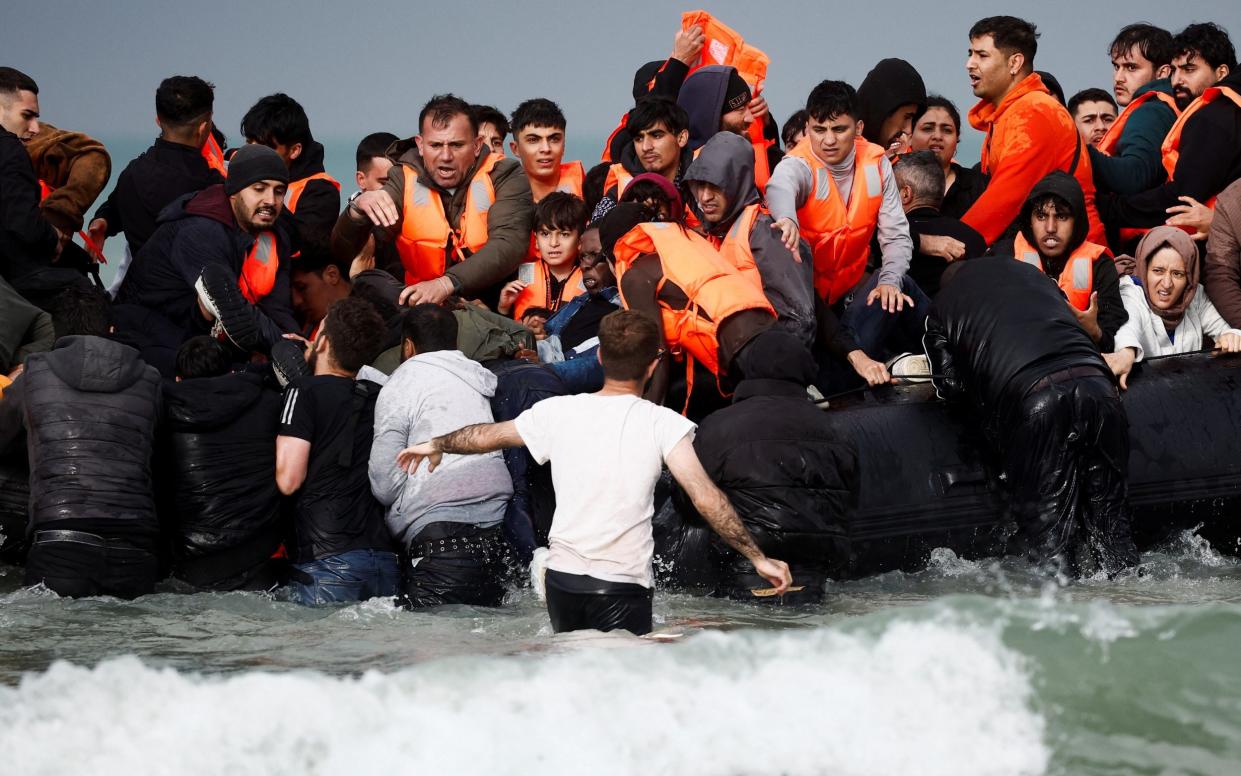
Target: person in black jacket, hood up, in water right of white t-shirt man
(789, 476)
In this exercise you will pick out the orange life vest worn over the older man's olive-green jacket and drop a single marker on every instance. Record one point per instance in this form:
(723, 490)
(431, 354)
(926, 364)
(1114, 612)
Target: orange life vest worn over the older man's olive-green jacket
(425, 230)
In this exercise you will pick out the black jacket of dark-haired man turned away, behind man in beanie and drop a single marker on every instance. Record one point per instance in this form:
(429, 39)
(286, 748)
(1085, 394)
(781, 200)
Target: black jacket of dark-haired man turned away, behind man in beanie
(150, 184)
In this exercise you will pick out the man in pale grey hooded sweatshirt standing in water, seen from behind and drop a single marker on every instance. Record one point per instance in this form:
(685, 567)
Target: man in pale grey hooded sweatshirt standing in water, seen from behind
(447, 527)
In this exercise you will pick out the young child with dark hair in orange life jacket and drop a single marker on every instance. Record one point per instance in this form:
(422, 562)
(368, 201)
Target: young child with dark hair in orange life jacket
(552, 277)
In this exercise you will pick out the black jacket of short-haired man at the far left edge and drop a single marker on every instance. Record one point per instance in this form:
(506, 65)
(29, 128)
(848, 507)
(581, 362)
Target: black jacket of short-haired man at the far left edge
(28, 241)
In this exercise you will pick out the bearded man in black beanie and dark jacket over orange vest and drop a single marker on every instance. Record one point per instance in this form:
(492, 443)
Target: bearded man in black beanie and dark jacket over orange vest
(218, 264)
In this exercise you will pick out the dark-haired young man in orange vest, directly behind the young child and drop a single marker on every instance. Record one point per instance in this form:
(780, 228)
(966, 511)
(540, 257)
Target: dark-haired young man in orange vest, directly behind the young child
(539, 142)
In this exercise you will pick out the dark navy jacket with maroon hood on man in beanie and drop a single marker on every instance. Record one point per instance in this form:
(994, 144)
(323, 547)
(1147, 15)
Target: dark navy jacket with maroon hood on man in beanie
(194, 232)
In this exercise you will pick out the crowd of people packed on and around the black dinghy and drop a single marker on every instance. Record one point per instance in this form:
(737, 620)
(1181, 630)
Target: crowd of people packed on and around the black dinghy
(480, 363)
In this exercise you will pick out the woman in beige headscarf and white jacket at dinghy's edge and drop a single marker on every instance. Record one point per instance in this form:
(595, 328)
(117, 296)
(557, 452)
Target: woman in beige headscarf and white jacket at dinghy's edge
(1168, 310)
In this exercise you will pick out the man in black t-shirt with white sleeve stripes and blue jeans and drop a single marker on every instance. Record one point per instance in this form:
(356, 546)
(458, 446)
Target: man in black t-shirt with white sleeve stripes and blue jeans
(342, 551)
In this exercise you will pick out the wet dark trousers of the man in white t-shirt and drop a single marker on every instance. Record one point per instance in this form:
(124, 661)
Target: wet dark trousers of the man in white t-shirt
(578, 603)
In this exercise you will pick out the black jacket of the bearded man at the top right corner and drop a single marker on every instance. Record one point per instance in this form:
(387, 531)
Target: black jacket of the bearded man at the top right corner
(1211, 160)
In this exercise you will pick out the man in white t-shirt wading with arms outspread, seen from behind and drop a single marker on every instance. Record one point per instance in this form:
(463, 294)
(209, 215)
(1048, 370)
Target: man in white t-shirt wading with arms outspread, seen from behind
(607, 451)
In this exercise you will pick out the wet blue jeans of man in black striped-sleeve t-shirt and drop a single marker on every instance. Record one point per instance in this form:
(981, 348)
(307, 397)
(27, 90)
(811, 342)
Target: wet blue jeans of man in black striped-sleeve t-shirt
(351, 577)
